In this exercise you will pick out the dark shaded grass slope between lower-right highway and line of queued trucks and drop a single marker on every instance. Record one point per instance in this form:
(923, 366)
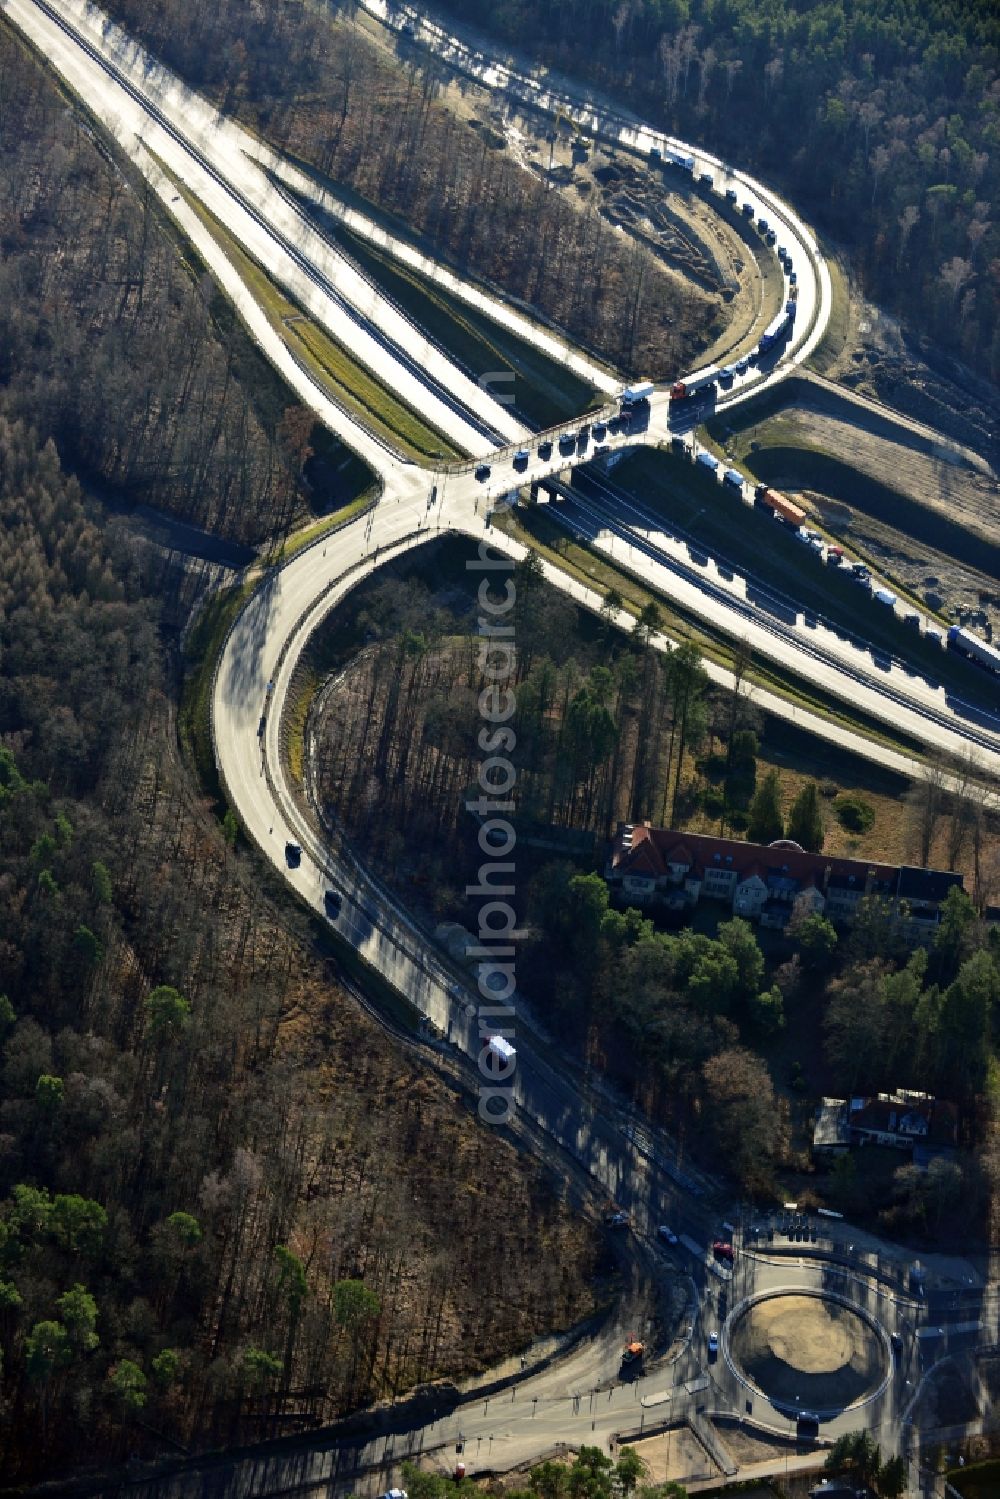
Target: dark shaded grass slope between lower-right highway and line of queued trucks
(726, 527)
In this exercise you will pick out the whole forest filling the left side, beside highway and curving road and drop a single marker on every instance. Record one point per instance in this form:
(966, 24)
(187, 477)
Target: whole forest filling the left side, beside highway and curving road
(227, 1200)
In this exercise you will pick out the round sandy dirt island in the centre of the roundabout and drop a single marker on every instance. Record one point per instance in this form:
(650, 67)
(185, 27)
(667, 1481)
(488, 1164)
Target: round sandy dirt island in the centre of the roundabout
(809, 1350)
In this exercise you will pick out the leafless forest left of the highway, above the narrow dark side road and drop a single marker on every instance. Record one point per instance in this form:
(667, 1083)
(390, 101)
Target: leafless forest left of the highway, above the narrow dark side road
(107, 344)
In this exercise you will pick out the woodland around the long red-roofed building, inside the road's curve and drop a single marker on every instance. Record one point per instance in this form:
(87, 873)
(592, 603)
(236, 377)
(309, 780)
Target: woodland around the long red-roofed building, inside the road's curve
(702, 1017)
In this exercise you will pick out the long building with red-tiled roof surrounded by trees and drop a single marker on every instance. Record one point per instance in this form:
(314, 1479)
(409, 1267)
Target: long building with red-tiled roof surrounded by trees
(659, 869)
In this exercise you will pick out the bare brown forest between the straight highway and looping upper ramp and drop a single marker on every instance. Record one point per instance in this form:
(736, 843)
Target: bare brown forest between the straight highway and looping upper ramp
(320, 89)
